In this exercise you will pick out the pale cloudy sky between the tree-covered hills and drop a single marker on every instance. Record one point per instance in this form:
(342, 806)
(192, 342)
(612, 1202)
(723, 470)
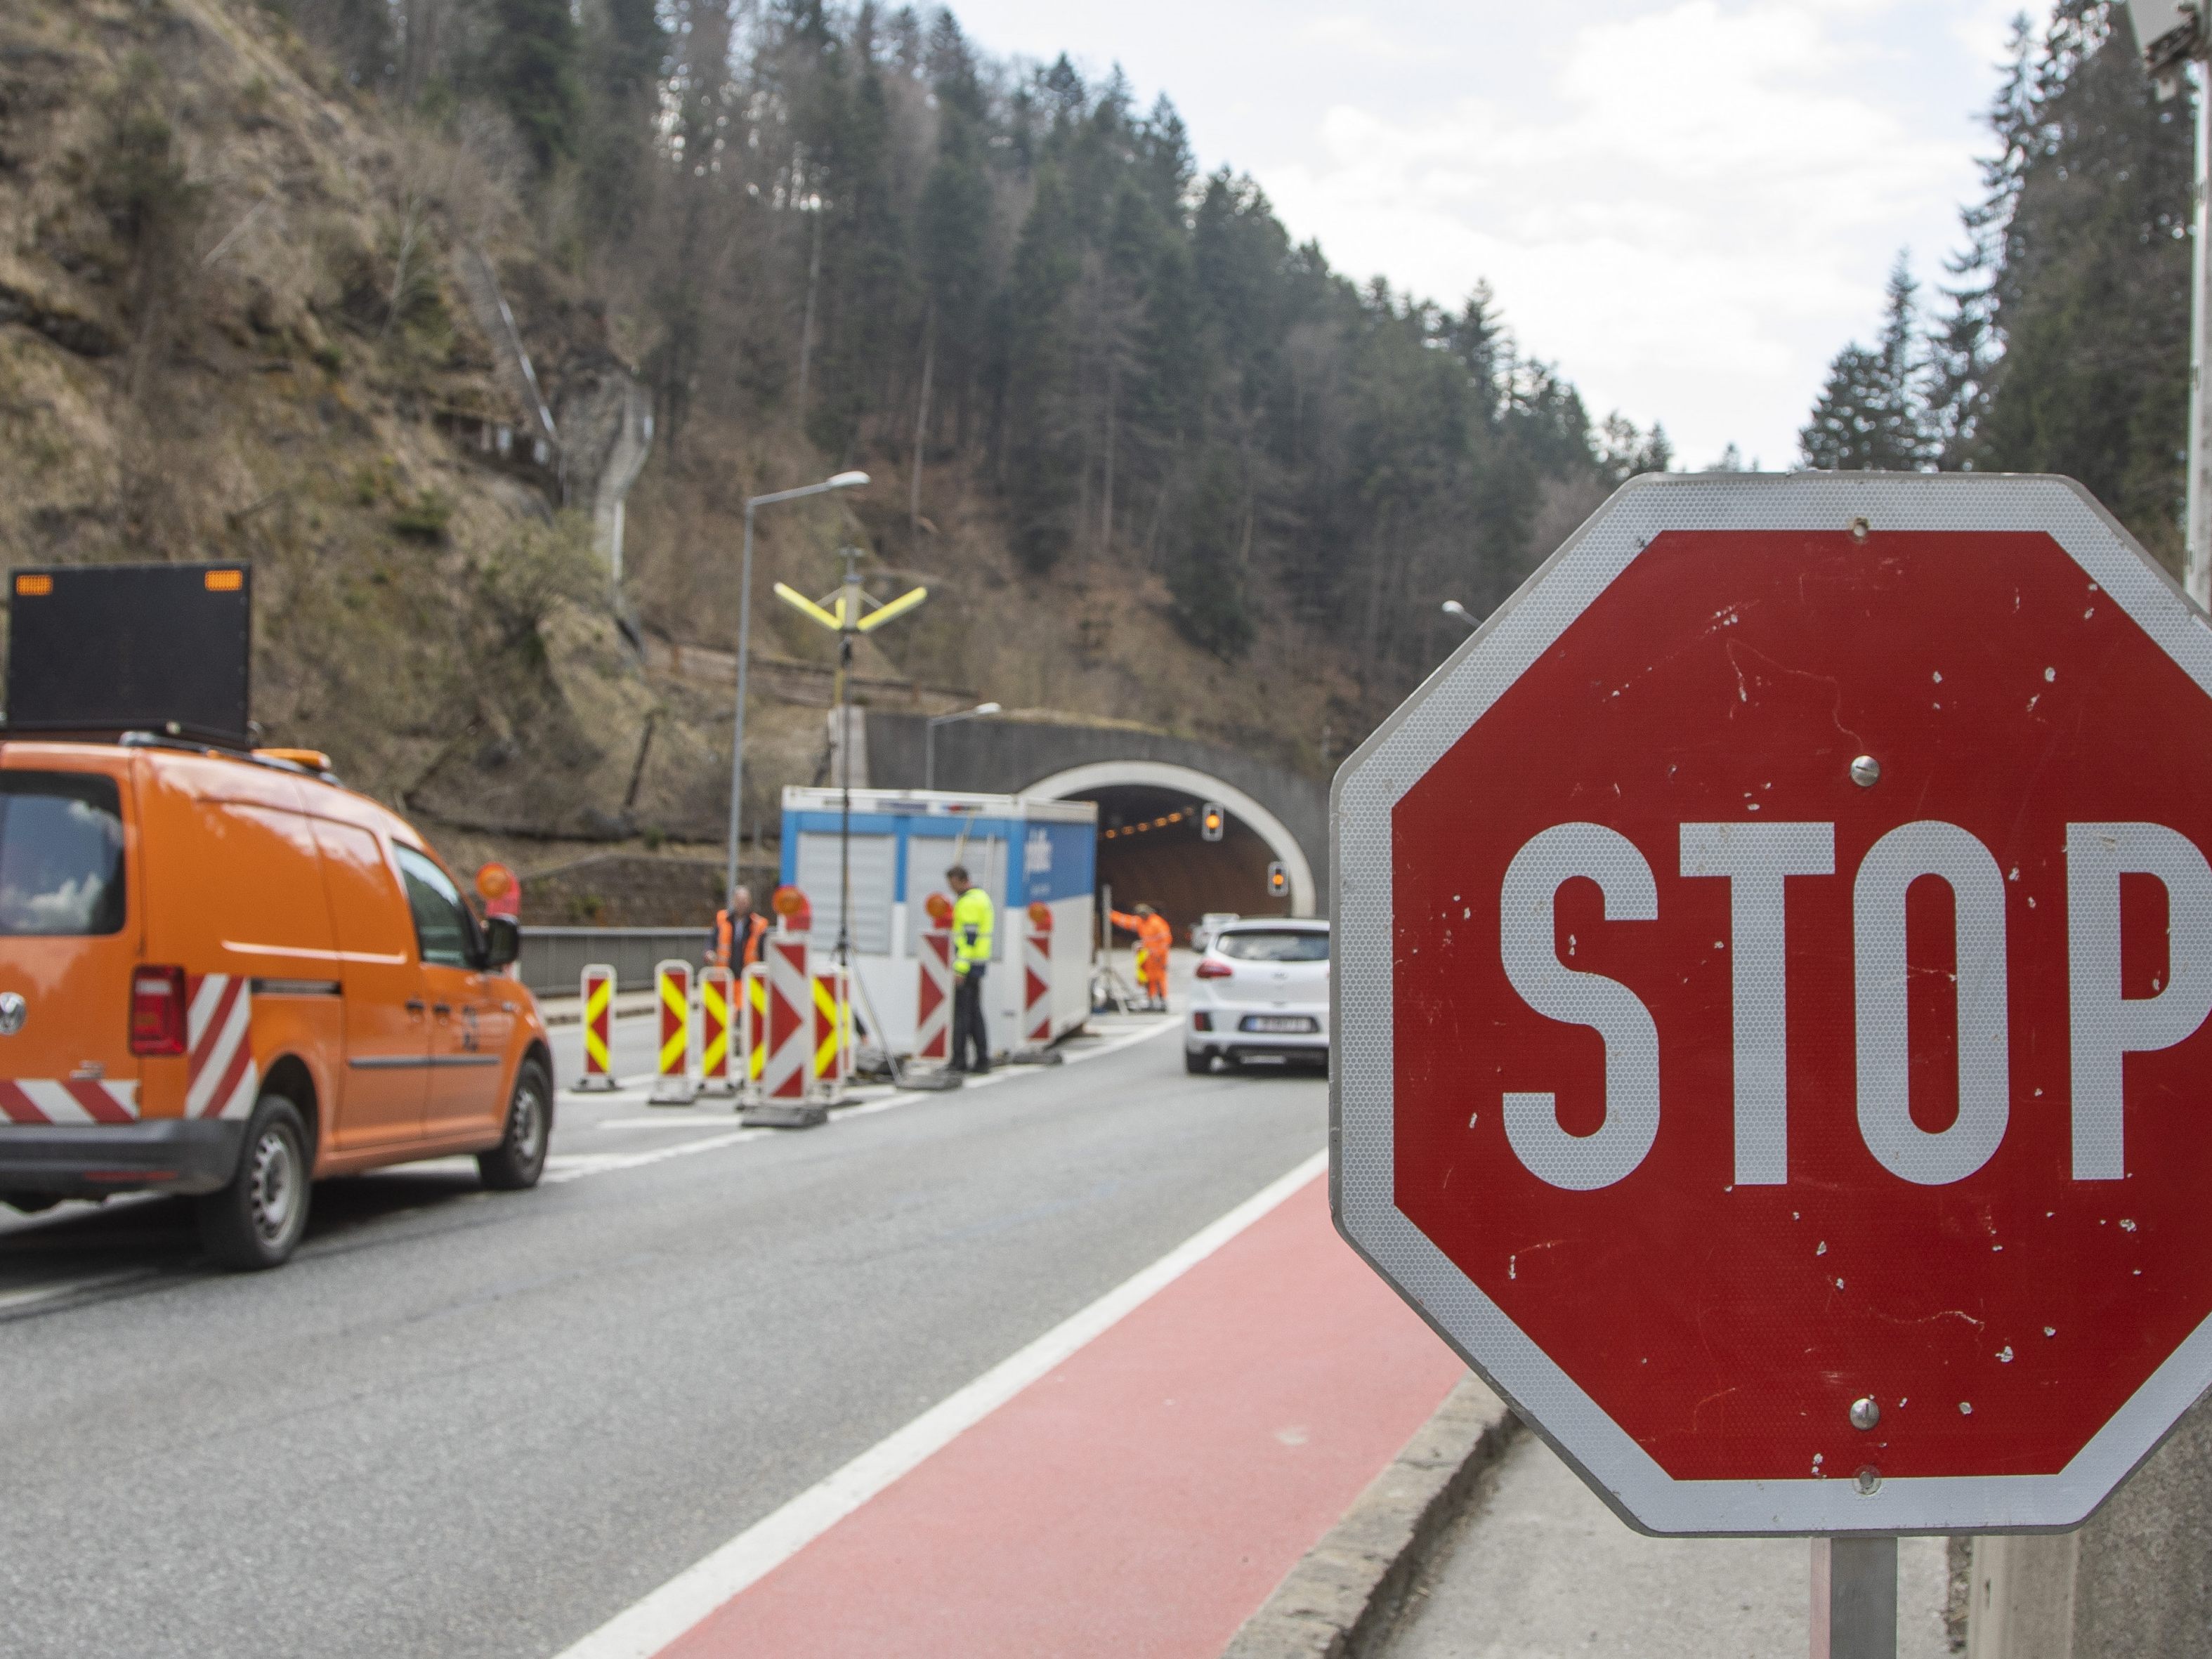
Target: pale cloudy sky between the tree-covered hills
(1687, 207)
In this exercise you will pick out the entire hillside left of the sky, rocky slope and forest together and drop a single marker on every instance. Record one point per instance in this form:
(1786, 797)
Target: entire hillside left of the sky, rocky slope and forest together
(271, 271)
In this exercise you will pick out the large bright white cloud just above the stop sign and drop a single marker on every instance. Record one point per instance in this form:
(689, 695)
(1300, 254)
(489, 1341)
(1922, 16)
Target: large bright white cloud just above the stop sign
(1691, 222)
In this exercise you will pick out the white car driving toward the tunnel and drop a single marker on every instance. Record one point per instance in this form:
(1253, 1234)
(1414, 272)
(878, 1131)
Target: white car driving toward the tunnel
(1262, 992)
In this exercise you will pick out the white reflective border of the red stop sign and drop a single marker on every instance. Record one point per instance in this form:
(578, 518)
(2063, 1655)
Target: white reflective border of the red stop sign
(1361, 1085)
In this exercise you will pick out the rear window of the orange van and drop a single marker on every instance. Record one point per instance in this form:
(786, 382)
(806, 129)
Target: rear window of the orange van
(61, 855)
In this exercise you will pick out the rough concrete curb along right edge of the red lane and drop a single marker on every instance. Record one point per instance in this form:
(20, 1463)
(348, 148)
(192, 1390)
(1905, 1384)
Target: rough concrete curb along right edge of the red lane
(1344, 1596)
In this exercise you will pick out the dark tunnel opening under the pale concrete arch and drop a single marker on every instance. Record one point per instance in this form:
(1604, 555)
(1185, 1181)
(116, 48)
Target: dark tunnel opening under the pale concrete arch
(1154, 851)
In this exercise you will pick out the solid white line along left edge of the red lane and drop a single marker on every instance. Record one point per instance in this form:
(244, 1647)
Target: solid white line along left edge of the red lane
(674, 1609)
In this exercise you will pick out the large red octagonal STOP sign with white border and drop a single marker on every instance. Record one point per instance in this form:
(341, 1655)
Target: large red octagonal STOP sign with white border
(1773, 981)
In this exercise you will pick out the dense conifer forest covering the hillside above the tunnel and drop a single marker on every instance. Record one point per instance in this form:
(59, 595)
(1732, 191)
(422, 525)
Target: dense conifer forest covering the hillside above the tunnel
(1010, 293)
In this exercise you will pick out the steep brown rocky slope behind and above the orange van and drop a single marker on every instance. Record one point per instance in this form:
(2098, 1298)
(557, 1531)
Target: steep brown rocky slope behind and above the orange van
(236, 322)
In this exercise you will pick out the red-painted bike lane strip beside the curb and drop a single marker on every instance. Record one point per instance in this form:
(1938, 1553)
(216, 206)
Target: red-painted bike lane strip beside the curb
(1140, 1499)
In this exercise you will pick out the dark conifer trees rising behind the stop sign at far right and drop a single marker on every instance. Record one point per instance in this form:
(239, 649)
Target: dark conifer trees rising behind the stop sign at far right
(2060, 337)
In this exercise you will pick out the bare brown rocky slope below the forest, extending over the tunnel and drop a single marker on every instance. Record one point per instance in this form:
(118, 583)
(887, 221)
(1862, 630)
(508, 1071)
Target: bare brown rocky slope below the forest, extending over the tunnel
(251, 313)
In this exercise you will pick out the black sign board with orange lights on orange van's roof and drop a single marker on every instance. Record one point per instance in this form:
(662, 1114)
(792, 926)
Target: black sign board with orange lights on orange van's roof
(132, 647)
